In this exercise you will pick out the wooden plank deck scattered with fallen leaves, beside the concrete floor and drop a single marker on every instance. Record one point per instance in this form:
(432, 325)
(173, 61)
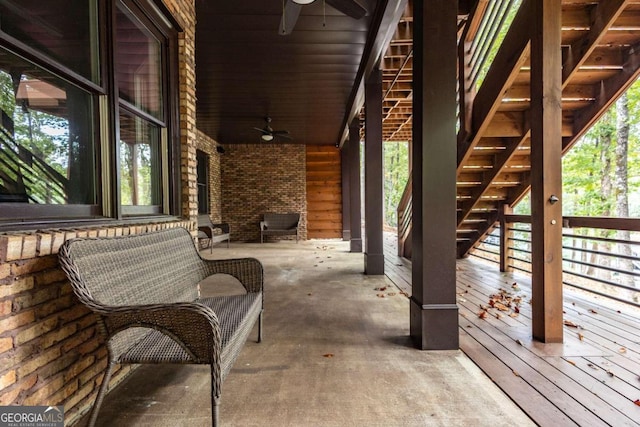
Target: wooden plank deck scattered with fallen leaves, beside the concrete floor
(592, 379)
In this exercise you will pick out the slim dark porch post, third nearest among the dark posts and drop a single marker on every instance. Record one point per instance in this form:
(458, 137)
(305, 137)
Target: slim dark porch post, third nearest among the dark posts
(355, 211)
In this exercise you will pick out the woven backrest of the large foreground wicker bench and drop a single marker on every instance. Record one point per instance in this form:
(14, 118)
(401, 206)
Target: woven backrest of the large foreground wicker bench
(152, 268)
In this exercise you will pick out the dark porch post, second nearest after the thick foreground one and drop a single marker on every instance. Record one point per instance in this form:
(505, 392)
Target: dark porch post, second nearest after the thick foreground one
(373, 166)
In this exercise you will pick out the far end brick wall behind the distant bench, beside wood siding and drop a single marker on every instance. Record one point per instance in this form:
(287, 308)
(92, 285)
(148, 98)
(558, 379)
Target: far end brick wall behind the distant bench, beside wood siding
(259, 178)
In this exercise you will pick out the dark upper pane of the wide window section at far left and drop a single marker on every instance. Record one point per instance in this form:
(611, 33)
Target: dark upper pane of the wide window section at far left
(66, 30)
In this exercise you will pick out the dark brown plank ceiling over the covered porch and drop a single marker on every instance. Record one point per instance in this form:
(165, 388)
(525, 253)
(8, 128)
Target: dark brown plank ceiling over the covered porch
(304, 81)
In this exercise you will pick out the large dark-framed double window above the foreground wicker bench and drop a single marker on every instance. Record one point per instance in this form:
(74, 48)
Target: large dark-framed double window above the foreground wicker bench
(89, 111)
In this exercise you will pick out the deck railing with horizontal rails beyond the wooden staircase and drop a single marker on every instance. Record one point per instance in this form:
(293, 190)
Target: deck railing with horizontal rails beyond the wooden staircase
(600, 255)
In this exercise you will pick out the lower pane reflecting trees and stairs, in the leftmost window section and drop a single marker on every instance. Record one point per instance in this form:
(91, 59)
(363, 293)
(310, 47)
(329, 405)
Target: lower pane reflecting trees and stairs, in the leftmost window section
(47, 149)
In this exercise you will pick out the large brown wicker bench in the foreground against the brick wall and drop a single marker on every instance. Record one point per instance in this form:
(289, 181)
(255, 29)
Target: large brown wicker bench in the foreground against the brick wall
(144, 290)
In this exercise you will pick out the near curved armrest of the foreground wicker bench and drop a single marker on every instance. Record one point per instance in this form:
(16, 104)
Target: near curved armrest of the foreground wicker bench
(192, 325)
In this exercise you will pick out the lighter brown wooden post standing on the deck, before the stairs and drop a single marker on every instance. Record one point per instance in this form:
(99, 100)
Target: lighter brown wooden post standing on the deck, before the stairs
(546, 169)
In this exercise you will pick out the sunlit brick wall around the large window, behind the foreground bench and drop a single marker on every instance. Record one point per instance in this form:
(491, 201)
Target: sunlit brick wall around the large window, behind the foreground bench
(50, 351)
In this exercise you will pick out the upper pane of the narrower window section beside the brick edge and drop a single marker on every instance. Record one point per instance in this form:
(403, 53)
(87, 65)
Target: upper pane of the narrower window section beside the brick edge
(138, 64)
